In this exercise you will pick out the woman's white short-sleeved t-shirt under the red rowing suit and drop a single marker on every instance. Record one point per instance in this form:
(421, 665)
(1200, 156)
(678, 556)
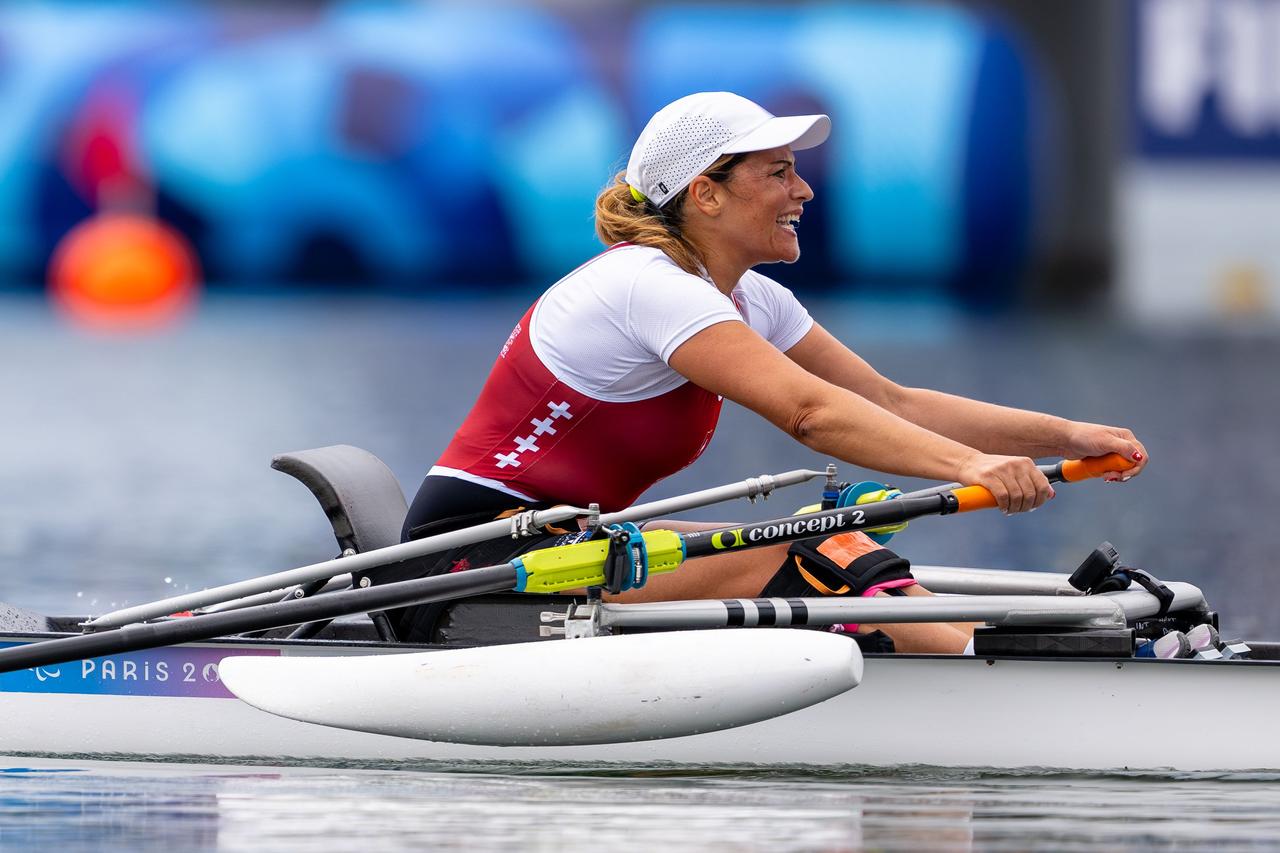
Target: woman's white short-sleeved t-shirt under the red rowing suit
(609, 329)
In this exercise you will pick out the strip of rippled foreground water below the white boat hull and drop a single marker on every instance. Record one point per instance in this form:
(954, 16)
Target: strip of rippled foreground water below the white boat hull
(76, 805)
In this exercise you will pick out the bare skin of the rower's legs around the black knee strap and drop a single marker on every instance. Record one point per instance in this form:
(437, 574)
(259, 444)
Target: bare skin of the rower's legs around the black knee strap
(744, 574)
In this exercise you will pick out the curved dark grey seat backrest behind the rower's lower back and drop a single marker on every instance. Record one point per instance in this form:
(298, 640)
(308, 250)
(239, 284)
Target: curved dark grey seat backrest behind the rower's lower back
(359, 494)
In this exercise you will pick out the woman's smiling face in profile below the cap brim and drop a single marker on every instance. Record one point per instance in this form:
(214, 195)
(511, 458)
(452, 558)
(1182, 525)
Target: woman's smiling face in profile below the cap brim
(761, 207)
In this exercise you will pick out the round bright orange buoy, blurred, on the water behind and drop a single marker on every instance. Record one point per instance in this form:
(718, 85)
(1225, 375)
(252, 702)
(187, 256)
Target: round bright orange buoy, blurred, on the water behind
(124, 272)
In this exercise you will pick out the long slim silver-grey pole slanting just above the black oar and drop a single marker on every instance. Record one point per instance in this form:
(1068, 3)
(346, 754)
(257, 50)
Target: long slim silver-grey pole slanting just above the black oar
(751, 489)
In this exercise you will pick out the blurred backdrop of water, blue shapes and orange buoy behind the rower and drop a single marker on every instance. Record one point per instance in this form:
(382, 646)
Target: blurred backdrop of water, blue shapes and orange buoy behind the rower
(230, 231)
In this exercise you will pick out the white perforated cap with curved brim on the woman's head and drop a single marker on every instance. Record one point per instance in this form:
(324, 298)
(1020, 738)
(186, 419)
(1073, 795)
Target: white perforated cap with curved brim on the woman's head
(687, 136)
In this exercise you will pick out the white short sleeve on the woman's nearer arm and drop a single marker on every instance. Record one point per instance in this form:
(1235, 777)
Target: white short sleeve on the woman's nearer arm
(668, 307)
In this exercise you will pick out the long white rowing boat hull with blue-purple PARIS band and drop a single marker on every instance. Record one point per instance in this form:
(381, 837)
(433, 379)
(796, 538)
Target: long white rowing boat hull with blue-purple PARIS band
(911, 710)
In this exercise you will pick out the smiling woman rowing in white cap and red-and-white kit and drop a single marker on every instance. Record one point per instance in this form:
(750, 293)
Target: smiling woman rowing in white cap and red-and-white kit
(614, 380)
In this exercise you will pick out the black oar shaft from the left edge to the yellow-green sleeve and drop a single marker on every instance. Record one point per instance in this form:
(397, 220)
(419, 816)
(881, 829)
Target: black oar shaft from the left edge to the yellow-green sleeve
(195, 630)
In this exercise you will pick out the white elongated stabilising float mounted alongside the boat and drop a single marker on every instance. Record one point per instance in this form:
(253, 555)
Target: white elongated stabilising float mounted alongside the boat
(589, 691)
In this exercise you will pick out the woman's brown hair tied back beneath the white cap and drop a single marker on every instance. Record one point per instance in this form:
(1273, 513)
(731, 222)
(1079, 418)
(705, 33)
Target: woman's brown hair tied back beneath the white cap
(620, 218)
